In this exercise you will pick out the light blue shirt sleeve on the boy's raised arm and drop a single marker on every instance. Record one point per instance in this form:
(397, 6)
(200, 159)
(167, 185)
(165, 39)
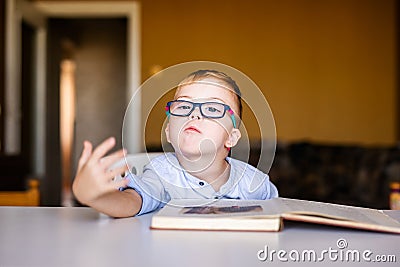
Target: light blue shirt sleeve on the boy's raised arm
(150, 188)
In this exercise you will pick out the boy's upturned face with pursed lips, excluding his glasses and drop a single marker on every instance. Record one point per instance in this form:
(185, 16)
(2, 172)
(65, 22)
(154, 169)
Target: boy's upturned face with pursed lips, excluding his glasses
(193, 136)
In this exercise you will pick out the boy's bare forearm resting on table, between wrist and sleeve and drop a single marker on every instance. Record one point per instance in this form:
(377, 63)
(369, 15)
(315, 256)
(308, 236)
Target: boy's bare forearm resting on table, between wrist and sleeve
(118, 204)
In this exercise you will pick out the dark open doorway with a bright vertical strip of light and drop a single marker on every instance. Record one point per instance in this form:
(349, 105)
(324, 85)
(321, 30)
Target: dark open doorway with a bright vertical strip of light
(86, 62)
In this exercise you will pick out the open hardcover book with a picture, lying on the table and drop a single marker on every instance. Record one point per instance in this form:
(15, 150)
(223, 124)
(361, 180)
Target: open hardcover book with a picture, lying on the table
(266, 215)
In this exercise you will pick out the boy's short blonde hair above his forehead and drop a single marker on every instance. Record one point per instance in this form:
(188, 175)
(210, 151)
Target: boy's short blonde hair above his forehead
(226, 80)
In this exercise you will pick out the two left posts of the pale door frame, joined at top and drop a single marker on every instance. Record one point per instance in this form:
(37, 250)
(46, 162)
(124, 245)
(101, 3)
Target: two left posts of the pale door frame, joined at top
(17, 11)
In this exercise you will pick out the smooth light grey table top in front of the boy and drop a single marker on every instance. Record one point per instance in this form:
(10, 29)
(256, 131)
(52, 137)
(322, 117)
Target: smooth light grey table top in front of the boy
(82, 237)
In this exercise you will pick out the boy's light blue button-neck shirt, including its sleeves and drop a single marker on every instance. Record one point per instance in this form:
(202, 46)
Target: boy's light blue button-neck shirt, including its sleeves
(164, 179)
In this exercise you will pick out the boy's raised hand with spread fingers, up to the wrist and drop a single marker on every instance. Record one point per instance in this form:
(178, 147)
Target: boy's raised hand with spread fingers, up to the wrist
(94, 177)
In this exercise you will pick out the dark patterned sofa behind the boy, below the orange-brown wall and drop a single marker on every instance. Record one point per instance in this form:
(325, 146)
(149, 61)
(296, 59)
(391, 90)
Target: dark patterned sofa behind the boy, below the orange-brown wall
(344, 174)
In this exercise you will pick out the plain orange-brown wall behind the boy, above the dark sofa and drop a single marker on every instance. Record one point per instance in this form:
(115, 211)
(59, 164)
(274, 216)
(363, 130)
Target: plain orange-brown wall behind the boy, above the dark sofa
(327, 68)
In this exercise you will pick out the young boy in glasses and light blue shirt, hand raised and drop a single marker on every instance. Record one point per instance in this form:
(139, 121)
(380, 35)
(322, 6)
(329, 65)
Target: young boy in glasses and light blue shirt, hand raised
(203, 125)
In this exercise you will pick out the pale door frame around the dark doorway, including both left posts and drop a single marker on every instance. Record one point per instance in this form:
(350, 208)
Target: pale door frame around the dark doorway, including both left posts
(36, 13)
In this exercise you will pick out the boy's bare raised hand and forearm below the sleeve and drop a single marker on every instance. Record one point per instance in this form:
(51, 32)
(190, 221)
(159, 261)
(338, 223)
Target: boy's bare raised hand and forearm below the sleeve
(94, 183)
